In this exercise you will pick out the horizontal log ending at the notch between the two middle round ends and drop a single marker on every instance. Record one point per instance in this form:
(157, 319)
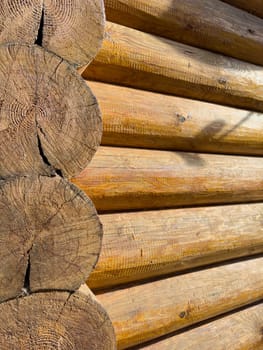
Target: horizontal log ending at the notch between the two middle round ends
(123, 178)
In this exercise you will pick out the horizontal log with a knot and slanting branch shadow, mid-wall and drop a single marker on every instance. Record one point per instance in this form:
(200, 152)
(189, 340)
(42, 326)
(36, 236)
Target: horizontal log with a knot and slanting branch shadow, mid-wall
(137, 118)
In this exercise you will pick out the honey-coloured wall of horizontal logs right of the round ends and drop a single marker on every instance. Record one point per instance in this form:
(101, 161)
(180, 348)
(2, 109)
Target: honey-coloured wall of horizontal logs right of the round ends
(178, 180)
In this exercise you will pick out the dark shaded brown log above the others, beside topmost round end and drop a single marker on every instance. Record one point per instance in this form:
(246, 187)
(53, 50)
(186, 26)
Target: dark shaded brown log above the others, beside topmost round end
(208, 24)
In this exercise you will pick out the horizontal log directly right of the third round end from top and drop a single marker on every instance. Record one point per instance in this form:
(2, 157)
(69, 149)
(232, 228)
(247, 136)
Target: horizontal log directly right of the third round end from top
(141, 245)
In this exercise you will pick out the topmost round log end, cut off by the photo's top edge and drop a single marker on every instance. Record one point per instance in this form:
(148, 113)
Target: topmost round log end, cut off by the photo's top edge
(72, 29)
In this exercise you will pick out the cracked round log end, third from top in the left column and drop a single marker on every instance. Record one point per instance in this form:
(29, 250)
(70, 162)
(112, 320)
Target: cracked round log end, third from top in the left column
(50, 236)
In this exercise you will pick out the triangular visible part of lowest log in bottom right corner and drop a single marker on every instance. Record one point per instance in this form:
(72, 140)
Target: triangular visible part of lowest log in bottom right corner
(241, 330)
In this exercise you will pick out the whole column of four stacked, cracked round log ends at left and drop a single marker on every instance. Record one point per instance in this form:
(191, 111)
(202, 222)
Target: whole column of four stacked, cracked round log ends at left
(50, 125)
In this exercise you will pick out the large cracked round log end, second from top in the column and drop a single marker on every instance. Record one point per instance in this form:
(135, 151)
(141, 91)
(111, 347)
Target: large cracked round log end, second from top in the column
(49, 119)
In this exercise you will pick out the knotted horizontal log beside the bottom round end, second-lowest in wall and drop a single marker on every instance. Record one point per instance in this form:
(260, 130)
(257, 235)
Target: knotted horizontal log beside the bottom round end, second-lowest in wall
(144, 312)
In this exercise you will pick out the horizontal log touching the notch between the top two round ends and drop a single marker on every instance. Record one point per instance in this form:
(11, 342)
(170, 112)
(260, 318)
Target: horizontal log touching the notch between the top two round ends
(132, 58)
